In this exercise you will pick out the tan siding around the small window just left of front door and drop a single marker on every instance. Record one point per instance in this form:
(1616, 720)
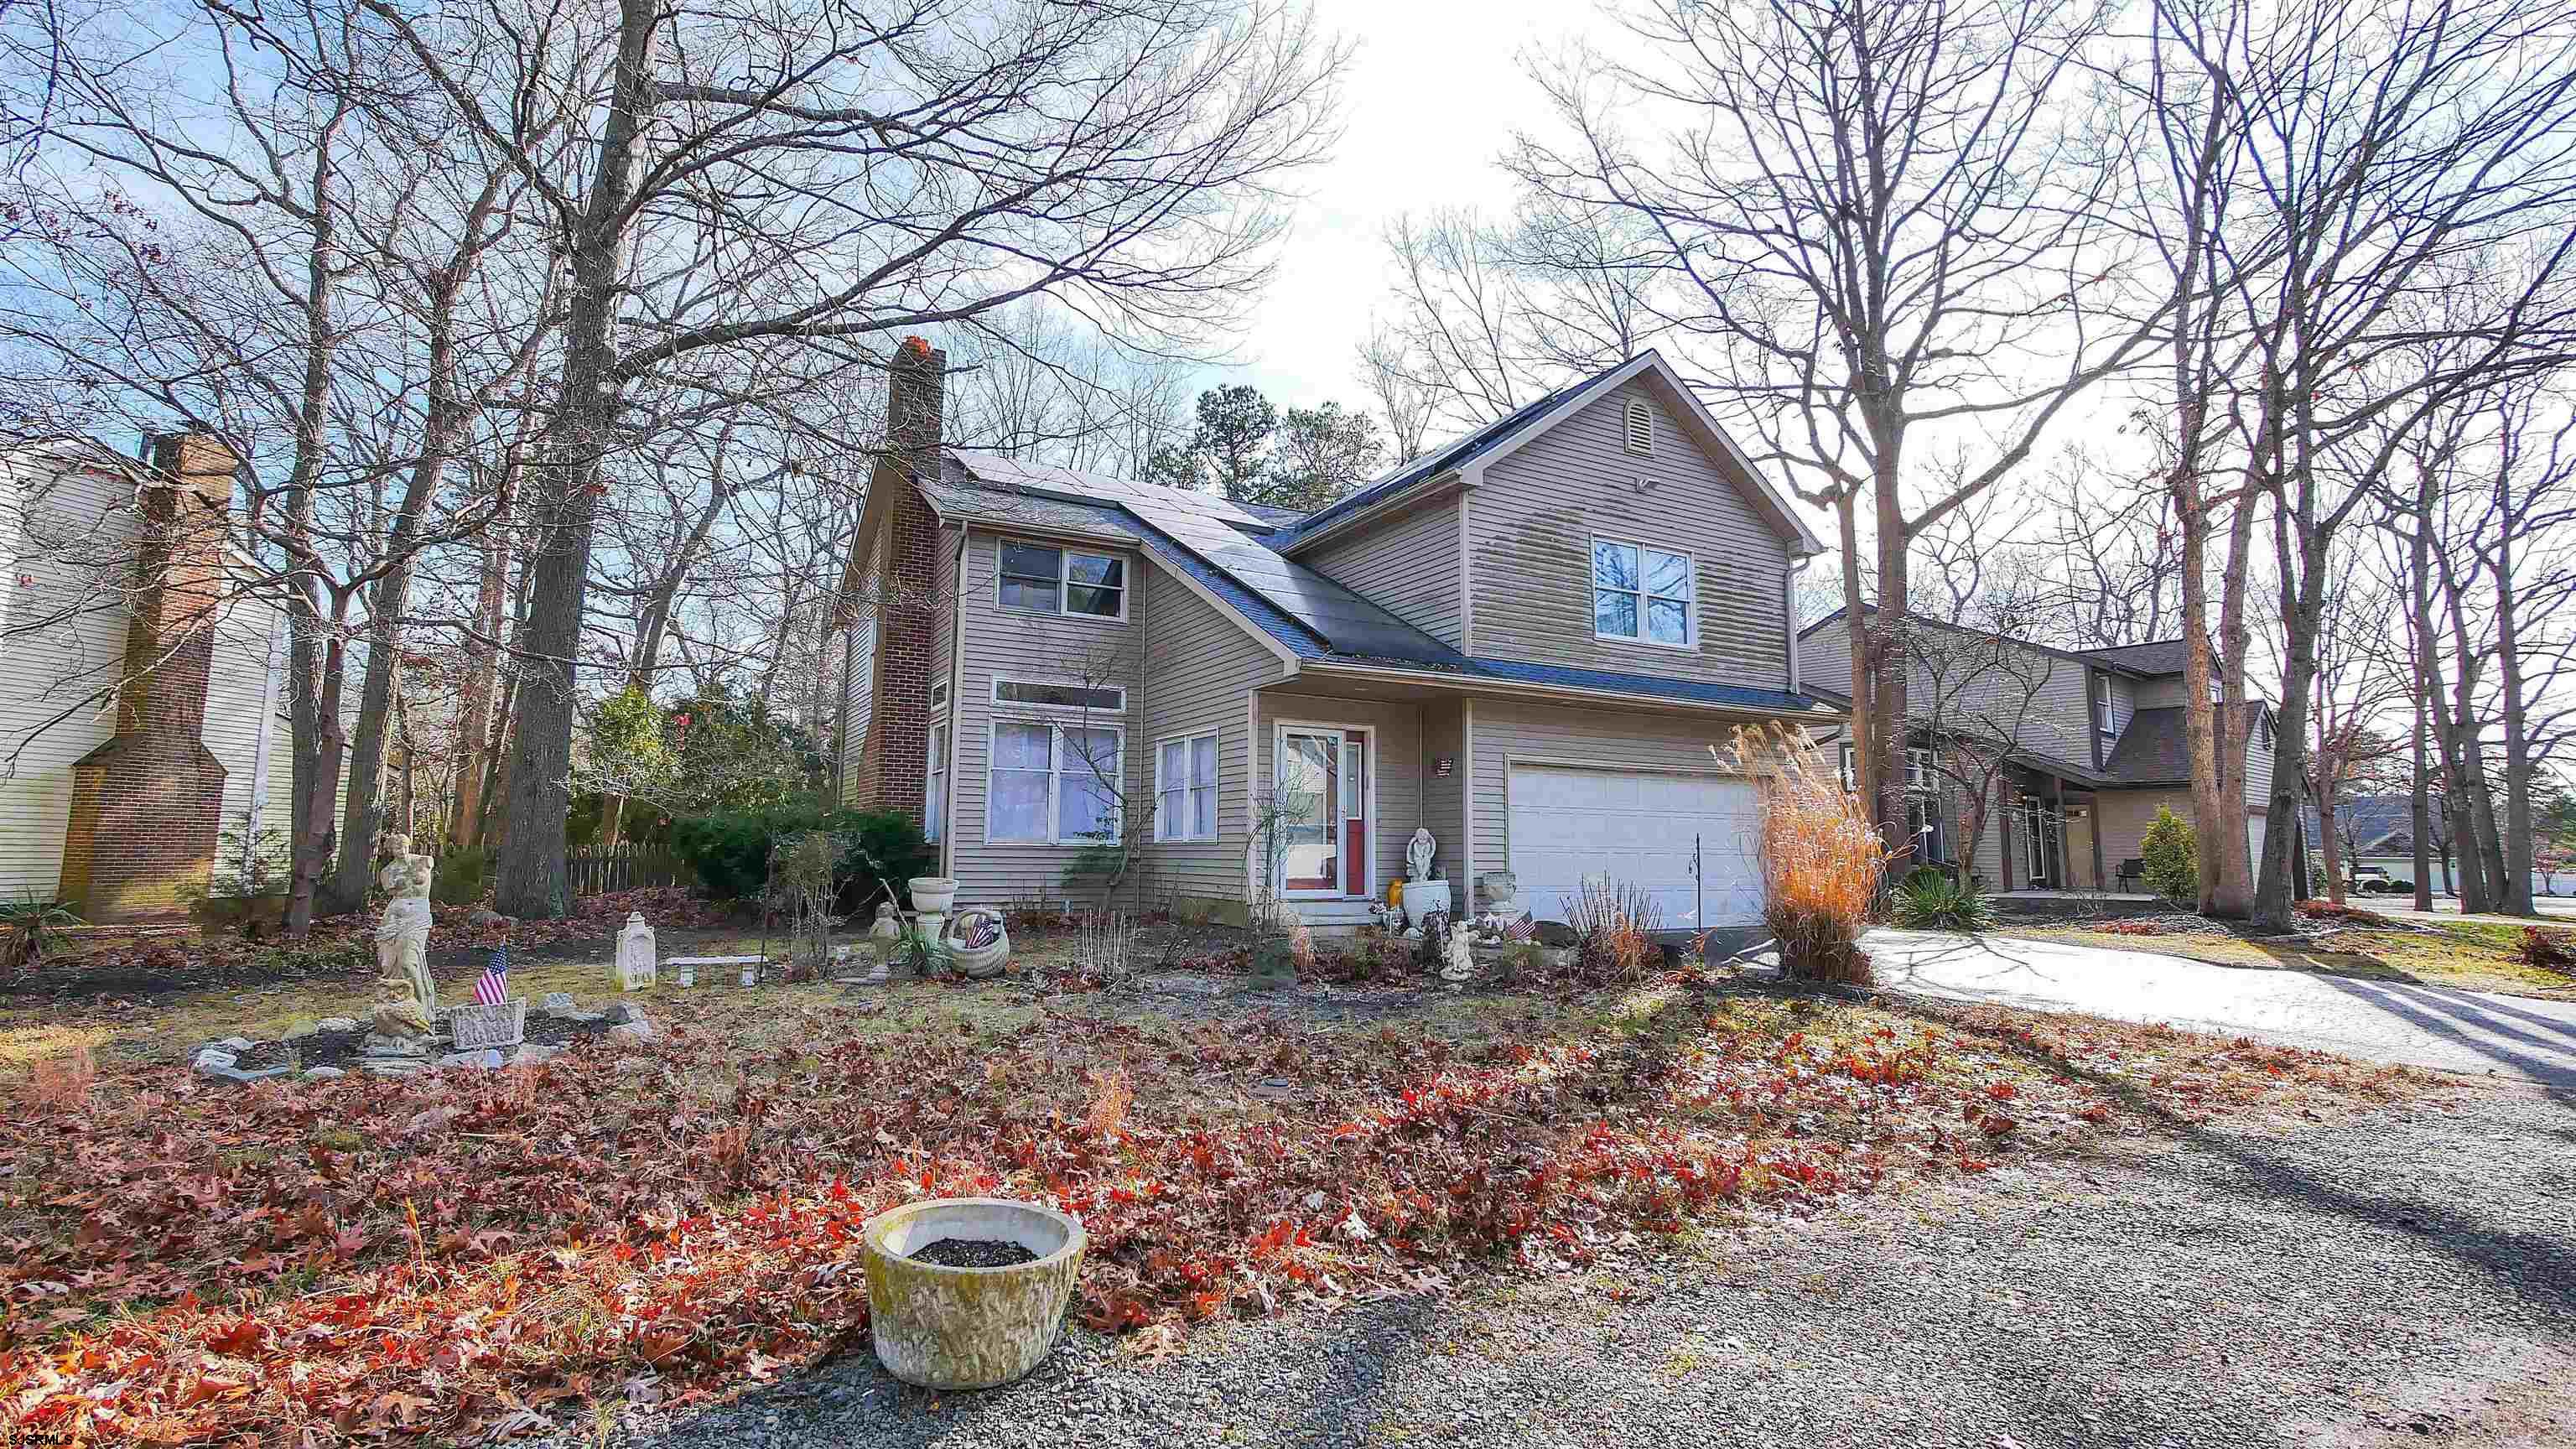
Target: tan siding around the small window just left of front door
(1204, 666)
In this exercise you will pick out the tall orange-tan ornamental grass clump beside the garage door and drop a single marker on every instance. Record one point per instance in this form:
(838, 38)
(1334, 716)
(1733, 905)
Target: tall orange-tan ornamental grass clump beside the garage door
(1823, 860)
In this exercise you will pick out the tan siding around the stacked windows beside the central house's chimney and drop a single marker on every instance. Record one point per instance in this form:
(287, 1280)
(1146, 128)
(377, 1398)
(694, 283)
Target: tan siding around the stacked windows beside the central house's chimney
(1045, 648)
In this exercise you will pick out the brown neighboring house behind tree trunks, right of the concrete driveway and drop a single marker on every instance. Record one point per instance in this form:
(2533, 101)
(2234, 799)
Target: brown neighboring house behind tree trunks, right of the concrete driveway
(2096, 749)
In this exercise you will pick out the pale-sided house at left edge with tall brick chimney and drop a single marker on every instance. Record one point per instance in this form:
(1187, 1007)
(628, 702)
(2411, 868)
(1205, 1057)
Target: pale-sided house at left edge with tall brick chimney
(143, 708)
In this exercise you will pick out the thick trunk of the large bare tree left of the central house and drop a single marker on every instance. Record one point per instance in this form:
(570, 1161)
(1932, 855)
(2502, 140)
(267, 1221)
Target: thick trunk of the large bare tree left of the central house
(573, 476)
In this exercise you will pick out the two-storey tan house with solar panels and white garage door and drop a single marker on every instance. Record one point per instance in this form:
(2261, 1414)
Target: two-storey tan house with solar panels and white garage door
(1531, 643)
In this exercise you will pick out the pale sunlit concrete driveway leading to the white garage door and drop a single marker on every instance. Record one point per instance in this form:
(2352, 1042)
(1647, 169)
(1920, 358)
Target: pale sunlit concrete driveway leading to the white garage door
(2387, 1022)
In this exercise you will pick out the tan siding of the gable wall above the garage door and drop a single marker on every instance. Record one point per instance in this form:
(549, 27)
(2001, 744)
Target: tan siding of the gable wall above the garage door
(1534, 520)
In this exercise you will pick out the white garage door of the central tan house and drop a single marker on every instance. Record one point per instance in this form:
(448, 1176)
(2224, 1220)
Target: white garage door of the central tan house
(1637, 829)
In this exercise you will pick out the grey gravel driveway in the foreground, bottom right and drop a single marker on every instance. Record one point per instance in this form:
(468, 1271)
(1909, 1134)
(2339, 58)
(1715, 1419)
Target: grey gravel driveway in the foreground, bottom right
(2397, 1278)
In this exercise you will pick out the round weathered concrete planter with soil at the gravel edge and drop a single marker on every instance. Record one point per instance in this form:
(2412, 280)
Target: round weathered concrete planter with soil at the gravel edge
(970, 1329)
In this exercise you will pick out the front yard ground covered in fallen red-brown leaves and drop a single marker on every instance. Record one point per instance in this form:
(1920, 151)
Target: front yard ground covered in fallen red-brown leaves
(426, 1259)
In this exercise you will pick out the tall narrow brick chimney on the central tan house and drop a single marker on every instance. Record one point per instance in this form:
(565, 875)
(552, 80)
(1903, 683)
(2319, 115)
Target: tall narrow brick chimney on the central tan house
(895, 759)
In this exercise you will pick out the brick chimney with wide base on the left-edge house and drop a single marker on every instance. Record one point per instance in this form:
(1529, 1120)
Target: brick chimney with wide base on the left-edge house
(148, 803)
